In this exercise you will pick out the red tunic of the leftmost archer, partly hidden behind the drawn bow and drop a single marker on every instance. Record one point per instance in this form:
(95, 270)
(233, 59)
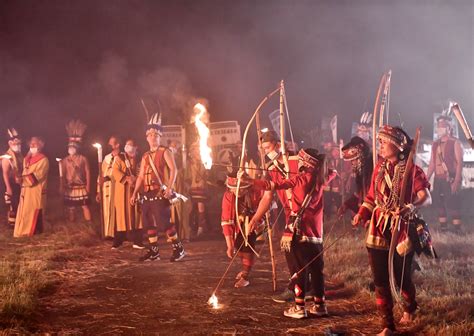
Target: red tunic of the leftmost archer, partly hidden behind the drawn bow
(228, 220)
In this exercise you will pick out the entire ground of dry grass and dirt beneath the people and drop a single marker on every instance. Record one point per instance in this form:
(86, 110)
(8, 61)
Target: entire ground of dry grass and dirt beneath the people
(68, 282)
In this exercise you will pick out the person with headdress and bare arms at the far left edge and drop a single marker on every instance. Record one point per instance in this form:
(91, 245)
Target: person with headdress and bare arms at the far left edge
(12, 166)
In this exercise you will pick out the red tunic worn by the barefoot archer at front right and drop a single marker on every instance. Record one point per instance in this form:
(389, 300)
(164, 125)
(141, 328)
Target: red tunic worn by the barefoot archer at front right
(377, 205)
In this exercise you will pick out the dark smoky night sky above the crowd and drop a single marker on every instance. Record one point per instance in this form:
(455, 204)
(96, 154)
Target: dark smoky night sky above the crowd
(95, 59)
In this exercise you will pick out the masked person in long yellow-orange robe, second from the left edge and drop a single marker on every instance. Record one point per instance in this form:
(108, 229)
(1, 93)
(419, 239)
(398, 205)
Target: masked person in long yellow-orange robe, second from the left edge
(33, 180)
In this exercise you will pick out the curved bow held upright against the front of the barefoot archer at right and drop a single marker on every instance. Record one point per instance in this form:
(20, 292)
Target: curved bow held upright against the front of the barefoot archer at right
(396, 228)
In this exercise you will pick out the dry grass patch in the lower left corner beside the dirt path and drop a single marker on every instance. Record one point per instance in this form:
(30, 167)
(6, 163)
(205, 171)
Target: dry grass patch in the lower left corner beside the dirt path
(29, 269)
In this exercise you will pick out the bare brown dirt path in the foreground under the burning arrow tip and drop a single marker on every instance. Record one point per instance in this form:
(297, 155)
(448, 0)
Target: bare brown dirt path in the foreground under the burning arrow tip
(117, 295)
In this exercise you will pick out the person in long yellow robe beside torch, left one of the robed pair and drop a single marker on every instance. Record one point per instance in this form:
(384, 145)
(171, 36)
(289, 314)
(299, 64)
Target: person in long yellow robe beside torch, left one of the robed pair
(108, 184)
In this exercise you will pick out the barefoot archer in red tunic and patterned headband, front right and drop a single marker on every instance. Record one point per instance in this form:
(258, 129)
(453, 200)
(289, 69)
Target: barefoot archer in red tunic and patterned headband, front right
(381, 209)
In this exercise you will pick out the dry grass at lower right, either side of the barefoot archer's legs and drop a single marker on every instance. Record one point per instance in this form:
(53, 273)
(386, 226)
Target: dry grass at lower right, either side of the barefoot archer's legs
(444, 286)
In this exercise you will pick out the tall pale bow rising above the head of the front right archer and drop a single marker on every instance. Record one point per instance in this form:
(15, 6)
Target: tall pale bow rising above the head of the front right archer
(379, 109)
